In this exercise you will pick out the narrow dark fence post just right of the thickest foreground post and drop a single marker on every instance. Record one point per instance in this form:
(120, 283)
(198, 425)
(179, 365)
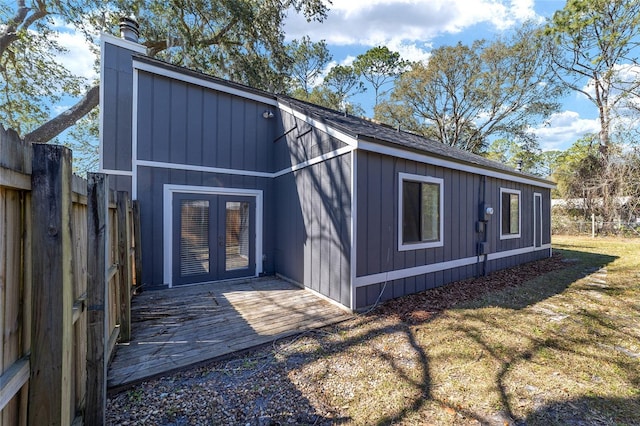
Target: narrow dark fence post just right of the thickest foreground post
(97, 297)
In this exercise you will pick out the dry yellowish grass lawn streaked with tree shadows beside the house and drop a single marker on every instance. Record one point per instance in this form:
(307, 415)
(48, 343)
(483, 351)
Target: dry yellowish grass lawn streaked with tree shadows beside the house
(563, 348)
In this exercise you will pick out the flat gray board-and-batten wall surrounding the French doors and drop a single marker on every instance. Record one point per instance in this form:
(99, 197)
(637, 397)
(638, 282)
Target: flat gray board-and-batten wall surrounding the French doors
(184, 132)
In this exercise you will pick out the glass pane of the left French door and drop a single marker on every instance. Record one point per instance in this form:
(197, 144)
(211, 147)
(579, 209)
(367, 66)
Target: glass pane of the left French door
(194, 237)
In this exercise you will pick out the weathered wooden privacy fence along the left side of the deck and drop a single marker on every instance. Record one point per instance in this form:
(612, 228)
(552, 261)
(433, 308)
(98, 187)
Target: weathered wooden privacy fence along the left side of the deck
(66, 273)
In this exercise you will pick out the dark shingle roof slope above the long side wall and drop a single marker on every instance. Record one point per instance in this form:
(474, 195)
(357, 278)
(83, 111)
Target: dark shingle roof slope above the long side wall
(365, 129)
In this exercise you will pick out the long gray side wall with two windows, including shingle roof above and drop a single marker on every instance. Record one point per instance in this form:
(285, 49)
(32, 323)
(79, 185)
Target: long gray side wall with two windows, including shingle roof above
(381, 270)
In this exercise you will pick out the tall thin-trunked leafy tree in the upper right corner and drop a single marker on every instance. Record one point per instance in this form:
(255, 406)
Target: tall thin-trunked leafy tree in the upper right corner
(597, 55)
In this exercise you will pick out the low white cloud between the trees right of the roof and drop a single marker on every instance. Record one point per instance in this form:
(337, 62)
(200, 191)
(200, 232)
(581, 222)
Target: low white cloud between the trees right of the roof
(563, 129)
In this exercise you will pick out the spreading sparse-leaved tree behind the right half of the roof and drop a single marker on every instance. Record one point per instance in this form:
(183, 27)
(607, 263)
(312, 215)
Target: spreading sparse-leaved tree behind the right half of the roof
(466, 95)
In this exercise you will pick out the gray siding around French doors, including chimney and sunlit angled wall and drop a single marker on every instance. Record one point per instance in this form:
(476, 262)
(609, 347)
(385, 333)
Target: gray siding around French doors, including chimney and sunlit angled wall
(188, 135)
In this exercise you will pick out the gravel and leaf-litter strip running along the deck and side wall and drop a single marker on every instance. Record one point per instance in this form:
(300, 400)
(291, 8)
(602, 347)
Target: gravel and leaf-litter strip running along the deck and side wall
(274, 385)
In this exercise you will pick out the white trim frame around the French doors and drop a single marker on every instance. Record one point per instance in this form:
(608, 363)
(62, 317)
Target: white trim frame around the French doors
(167, 207)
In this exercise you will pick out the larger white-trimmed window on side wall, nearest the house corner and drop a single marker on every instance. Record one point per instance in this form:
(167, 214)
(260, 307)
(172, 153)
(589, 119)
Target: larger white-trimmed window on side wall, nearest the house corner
(420, 212)
